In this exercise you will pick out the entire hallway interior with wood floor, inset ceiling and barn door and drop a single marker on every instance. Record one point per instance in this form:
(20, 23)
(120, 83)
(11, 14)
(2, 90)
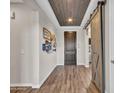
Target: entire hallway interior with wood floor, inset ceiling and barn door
(61, 46)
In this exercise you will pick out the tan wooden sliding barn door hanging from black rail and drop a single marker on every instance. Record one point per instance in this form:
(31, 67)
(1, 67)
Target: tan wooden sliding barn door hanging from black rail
(96, 45)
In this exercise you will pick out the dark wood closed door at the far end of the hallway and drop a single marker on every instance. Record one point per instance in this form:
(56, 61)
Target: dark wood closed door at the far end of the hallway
(70, 48)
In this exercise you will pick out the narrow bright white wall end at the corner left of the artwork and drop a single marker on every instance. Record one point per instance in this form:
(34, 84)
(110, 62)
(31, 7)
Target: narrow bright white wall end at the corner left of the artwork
(35, 49)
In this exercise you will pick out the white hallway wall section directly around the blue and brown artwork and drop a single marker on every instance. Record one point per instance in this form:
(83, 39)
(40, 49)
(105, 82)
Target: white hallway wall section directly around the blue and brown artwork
(47, 61)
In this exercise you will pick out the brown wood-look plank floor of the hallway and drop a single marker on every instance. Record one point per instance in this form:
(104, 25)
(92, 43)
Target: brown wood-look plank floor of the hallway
(64, 79)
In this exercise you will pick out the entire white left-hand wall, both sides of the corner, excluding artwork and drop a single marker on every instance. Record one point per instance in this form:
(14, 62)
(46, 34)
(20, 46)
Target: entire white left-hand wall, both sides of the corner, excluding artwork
(30, 66)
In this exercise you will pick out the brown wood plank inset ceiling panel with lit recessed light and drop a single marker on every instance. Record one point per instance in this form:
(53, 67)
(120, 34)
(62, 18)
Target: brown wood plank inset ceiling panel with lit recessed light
(69, 12)
